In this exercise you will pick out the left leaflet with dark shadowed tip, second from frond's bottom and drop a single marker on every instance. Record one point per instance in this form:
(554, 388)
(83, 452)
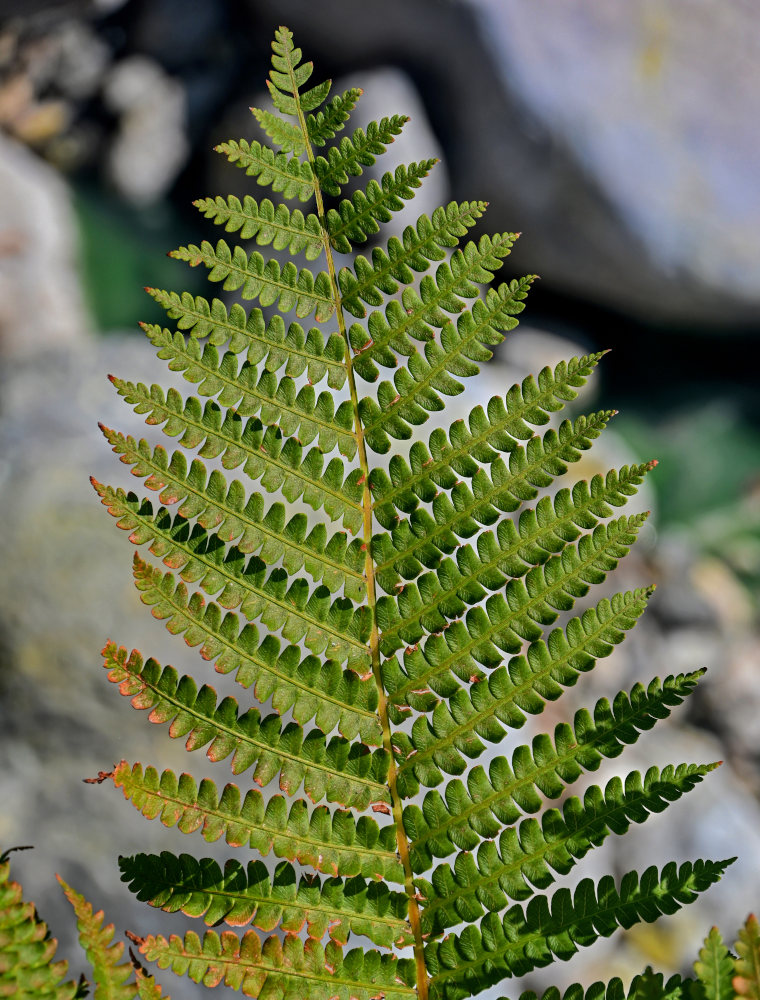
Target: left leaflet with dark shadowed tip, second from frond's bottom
(249, 894)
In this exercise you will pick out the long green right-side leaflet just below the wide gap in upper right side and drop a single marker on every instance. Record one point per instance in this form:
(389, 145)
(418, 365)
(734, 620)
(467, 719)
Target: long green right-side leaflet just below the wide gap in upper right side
(460, 451)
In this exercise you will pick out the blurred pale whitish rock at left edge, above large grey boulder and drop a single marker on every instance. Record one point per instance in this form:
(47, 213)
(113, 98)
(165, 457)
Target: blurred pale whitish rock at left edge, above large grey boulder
(41, 303)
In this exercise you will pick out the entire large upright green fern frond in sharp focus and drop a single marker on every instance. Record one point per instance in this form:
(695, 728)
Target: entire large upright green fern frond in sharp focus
(399, 627)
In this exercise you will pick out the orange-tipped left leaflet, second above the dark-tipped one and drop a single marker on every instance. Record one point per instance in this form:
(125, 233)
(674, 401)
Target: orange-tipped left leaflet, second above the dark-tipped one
(344, 772)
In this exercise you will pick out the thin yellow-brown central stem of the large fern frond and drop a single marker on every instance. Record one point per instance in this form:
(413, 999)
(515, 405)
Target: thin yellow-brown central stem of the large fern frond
(401, 839)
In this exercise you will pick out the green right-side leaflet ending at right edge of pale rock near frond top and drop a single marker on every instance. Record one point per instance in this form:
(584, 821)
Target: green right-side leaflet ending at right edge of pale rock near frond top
(358, 217)
